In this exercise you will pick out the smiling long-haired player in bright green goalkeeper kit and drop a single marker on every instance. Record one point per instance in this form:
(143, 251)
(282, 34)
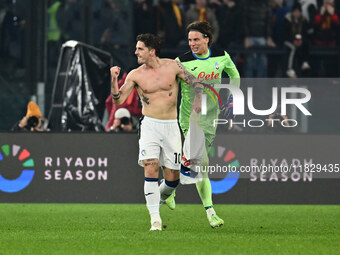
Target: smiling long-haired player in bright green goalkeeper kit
(207, 65)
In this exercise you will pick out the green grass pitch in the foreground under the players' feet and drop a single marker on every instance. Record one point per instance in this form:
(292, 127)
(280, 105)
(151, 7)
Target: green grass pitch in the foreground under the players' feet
(124, 229)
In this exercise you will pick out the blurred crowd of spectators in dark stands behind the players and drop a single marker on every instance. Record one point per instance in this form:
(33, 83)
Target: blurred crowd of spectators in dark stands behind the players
(292, 25)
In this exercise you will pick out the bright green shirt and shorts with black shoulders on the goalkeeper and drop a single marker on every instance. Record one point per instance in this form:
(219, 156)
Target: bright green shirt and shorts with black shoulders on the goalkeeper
(208, 69)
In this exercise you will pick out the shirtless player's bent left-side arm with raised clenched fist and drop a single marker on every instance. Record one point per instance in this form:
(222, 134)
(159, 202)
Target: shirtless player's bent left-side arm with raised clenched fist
(120, 95)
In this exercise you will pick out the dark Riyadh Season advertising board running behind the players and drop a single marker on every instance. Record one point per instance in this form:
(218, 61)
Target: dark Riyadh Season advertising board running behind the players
(102, 168)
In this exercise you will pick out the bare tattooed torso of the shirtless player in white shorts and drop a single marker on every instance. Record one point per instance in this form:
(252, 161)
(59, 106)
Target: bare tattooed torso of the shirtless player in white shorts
(158, 88)
